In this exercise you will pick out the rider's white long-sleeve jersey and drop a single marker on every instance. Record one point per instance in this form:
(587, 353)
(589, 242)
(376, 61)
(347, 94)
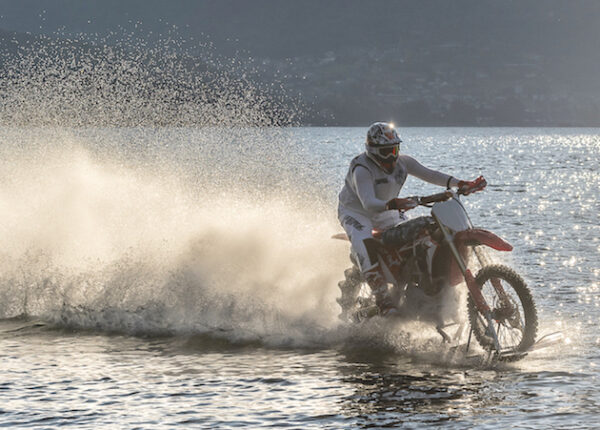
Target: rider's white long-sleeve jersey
(368, 188)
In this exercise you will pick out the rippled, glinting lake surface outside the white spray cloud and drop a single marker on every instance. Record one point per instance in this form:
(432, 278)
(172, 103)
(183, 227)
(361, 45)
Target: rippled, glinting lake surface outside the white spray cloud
(216, 376)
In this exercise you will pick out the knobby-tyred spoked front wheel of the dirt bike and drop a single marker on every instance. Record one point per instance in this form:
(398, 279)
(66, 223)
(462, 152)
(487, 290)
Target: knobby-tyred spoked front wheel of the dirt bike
(513, 310)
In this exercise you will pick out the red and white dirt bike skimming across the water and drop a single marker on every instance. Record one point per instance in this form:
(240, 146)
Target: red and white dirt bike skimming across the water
(425, 256)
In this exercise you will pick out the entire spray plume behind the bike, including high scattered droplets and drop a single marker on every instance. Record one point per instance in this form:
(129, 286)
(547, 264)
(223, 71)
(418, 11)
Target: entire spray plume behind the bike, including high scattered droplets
(142, 192)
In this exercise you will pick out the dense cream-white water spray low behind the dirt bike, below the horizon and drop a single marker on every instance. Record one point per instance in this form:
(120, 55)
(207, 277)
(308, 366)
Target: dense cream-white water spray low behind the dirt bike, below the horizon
(93, 242)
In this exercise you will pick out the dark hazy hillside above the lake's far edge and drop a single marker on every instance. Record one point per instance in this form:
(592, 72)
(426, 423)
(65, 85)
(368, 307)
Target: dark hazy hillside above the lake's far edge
(349, 62)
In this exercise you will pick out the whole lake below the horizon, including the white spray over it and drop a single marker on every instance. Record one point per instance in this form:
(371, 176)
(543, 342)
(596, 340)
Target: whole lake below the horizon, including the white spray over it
(155, 278)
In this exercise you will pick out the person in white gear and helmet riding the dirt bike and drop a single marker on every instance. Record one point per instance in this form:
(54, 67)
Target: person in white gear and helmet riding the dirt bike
(369, 199)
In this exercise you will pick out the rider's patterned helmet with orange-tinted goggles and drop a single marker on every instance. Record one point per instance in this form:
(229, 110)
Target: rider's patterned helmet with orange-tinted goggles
(383, 145)
